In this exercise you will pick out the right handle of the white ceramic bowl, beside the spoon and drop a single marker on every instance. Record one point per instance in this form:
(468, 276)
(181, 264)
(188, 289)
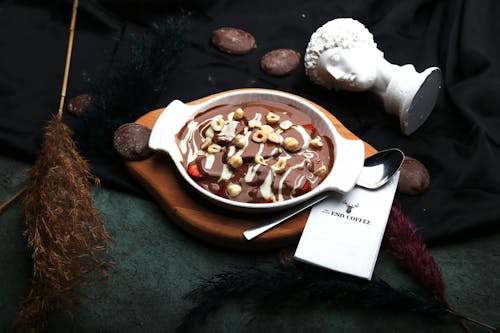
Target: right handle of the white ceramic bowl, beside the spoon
(350, 156)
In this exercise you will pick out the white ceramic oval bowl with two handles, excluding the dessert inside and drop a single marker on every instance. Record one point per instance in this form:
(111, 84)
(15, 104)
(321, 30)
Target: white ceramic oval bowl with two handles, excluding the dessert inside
(348, 154)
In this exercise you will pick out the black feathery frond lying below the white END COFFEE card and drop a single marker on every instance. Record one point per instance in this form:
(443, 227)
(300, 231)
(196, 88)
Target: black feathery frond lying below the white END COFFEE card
(298, 285)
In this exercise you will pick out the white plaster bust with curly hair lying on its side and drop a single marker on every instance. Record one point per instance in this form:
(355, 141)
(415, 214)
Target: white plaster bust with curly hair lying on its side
(342, 55)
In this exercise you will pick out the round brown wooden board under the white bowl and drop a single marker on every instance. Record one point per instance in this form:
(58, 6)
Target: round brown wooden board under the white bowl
(203, 219)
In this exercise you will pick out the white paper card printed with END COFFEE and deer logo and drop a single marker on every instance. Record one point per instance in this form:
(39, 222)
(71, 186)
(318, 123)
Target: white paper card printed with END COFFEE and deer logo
(344, 232)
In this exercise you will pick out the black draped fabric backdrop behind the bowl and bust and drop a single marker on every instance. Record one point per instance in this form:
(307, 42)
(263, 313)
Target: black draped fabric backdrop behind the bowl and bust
(459, 143)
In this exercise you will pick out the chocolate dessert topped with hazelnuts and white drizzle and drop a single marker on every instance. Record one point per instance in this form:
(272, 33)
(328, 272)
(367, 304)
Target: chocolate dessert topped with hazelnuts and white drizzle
(255, 152)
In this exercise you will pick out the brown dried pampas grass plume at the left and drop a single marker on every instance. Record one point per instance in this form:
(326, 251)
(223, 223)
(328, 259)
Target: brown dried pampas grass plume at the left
(64, 229)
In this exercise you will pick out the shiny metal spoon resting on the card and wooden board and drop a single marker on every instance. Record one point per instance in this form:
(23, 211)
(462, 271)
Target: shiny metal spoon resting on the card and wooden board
(378, 169)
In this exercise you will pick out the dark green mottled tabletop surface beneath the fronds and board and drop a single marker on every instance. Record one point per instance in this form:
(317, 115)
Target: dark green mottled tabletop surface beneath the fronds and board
(156, 264)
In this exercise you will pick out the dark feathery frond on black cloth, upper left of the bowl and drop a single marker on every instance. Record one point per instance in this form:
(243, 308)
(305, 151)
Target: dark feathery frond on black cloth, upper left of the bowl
(132, 86)
